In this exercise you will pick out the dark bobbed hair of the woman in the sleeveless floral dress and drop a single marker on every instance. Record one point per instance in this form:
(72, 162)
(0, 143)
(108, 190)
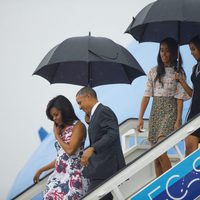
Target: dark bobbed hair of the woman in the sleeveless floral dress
(64, 105)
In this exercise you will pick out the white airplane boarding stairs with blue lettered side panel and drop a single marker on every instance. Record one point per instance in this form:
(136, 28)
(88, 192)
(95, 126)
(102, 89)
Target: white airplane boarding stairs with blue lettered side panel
(137, 180)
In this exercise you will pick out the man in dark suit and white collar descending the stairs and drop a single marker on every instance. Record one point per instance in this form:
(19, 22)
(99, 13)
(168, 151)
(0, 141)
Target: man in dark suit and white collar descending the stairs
(104, 156)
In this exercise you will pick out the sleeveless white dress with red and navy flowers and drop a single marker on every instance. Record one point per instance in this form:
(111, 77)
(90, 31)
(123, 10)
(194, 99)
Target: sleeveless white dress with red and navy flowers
(67, 181)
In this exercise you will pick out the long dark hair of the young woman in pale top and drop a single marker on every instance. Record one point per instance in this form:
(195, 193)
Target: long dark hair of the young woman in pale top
(173, 49)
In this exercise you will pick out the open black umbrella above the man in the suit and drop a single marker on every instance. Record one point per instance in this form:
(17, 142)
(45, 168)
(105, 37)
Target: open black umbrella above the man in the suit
(89, 61)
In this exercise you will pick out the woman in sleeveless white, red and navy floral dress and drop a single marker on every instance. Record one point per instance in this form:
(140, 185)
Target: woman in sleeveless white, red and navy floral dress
(66, 182)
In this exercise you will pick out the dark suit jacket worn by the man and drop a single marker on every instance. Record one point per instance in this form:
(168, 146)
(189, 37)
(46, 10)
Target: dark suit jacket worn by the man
(103, 133)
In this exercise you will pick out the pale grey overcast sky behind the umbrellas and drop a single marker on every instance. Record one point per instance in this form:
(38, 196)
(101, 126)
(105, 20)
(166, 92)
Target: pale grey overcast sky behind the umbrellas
(28, 30)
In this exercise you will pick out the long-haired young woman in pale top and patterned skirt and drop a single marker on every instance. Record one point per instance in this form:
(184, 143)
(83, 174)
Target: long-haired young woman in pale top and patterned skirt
(168, 96)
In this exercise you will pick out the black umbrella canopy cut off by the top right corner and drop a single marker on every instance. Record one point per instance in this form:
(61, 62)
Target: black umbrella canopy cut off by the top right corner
(179, 19)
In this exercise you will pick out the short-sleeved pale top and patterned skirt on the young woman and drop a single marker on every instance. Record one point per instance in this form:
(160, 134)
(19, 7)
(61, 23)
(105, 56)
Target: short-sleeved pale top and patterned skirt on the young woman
(164, 107)
